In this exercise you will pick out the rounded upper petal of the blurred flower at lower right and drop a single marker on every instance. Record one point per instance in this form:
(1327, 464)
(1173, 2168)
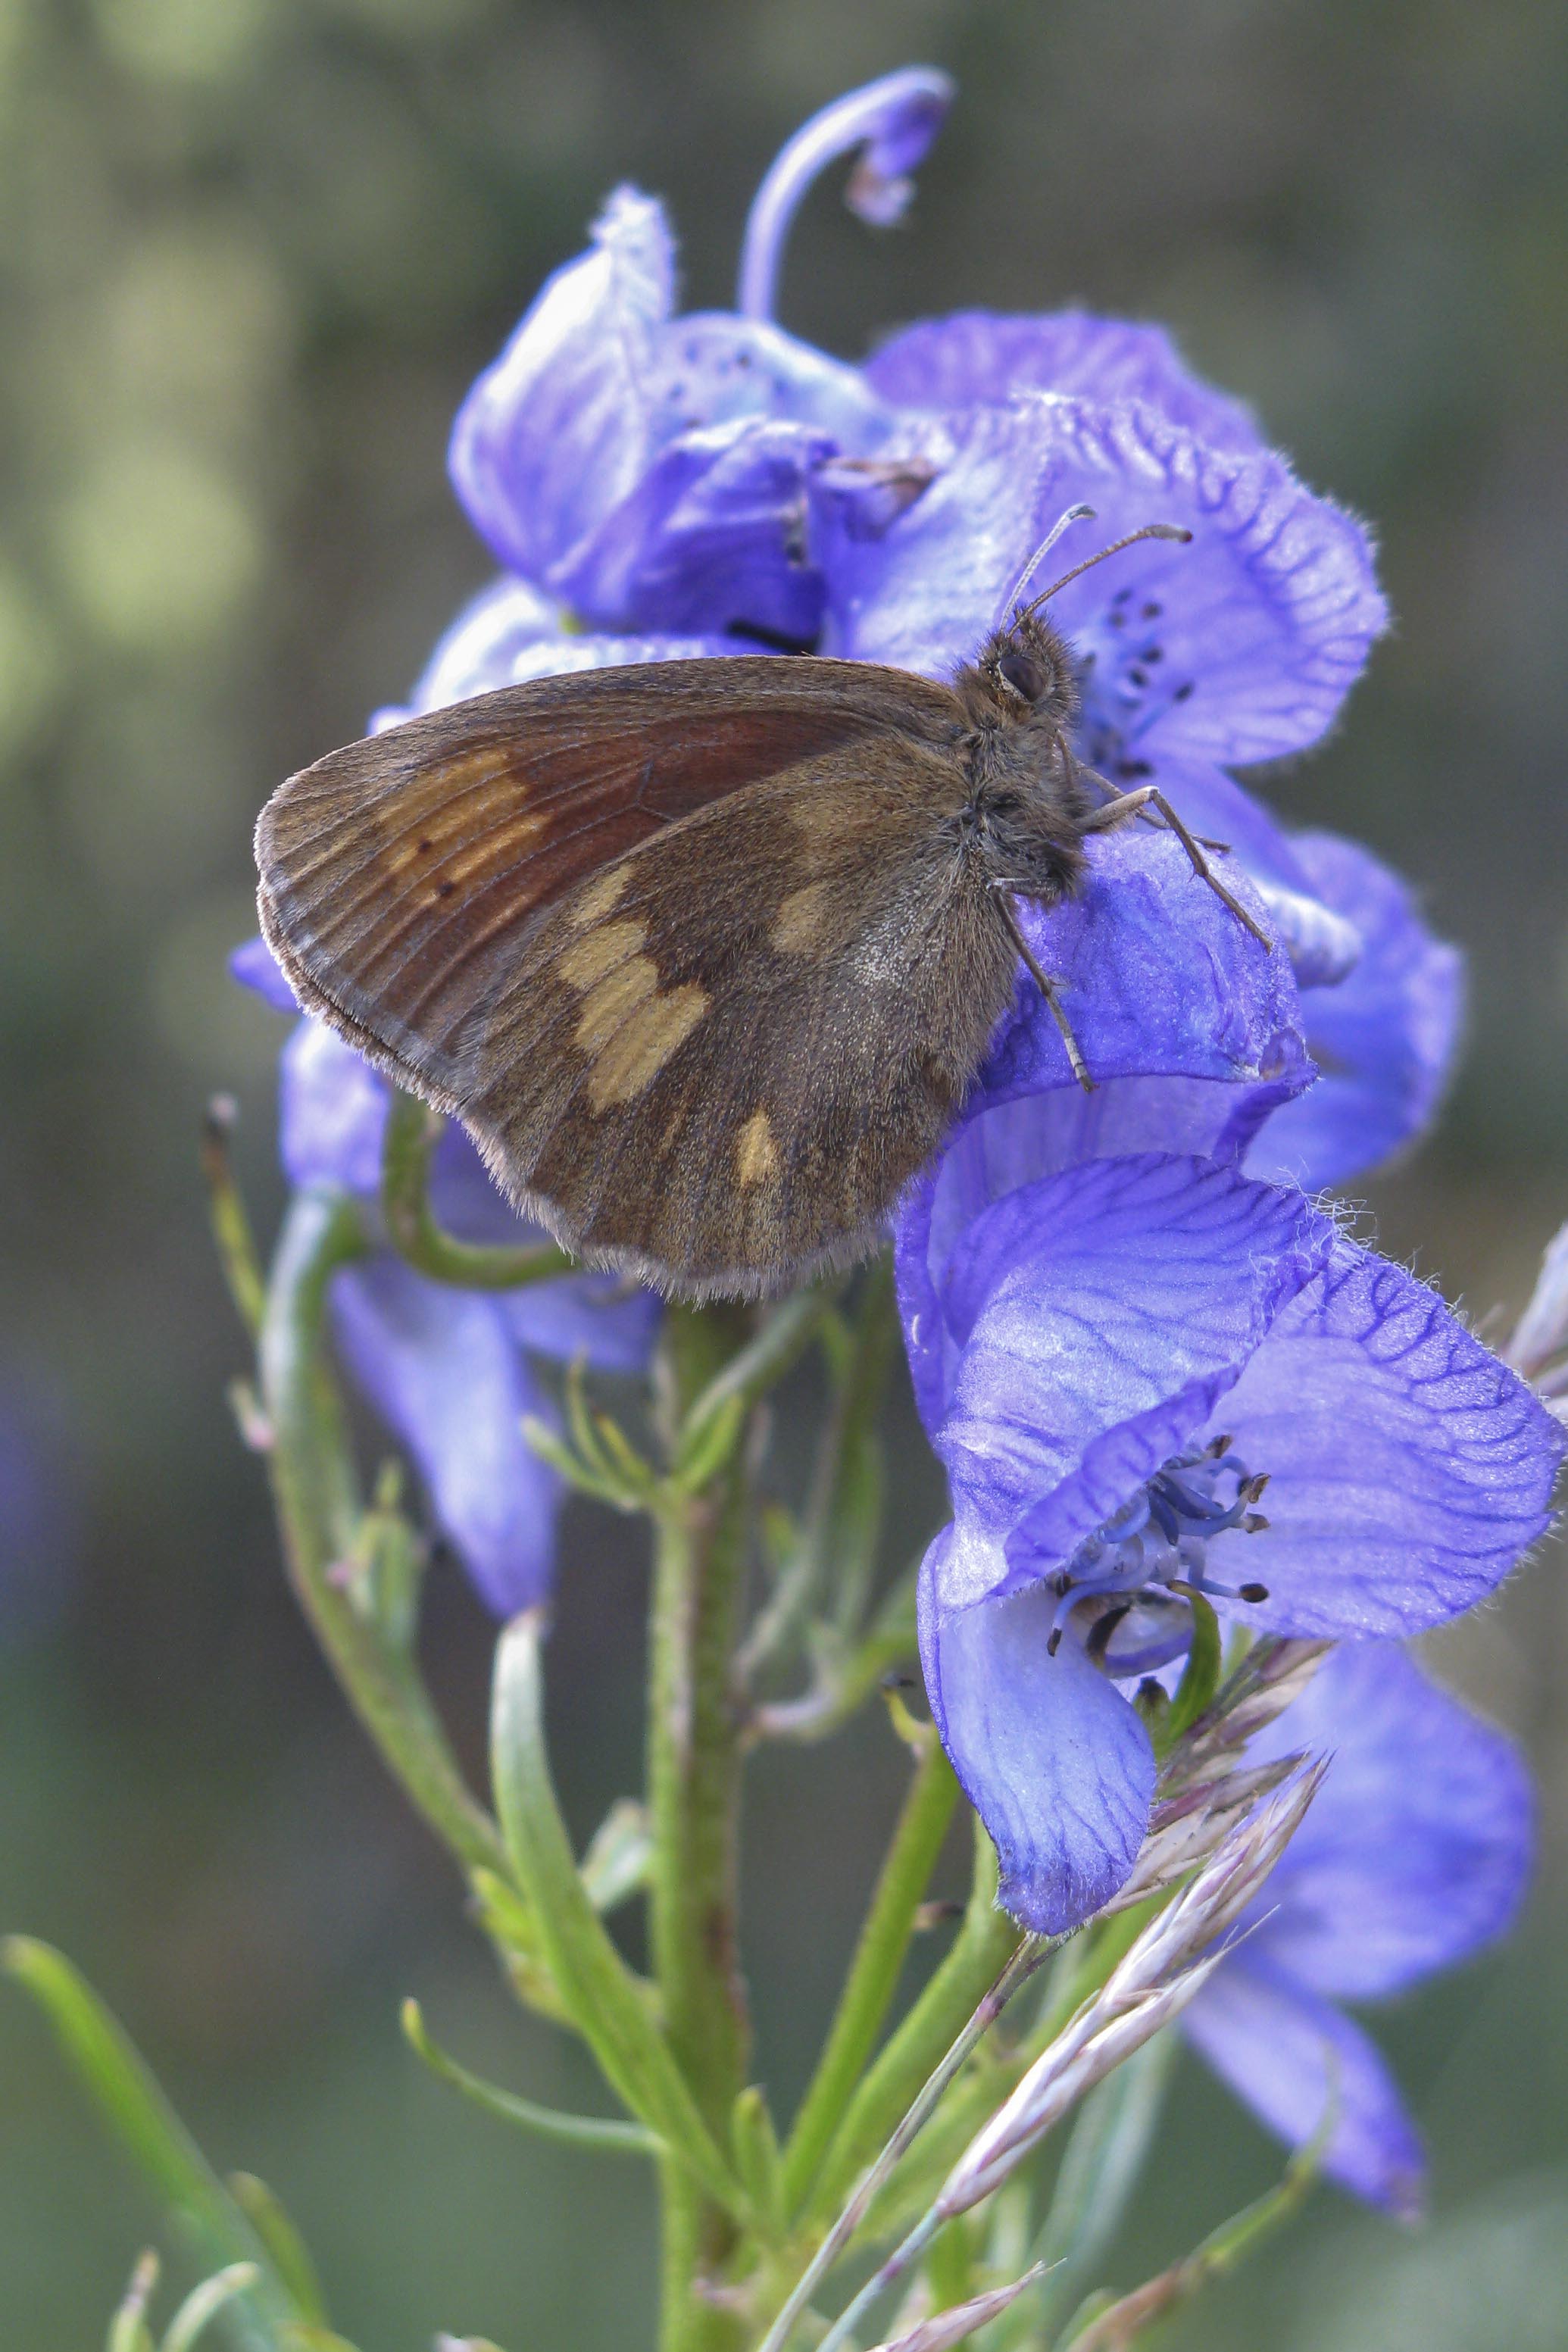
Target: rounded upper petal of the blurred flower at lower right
(1419, 1845)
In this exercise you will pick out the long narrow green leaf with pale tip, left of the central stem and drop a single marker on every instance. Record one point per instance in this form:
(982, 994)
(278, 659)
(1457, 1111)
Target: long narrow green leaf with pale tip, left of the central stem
(608, 2005)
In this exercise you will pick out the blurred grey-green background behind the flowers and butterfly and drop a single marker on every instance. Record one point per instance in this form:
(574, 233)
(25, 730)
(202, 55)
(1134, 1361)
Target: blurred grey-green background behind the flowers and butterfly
(253, 253)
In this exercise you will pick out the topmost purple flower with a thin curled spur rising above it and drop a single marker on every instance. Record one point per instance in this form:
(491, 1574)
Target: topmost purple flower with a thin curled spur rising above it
(652, 469)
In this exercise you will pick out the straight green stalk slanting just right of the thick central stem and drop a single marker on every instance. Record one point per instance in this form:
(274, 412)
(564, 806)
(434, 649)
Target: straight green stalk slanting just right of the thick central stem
(878, 1963)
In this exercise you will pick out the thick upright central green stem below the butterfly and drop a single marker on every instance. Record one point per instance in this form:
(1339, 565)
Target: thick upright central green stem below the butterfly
(695, 1798)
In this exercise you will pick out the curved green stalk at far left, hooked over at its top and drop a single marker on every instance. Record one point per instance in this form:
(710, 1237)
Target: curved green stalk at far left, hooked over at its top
(319, 1511)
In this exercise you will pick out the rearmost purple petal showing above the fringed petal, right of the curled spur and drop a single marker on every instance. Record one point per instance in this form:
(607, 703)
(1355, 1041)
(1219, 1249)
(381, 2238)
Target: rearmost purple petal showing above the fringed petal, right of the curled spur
(984, 359)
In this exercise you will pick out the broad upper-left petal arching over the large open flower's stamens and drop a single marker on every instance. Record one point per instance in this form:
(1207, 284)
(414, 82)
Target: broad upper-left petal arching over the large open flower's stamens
(1099, 1316)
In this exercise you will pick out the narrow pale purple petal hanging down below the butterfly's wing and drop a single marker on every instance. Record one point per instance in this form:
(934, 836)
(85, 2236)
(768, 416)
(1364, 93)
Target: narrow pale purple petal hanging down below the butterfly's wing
(448, 1377)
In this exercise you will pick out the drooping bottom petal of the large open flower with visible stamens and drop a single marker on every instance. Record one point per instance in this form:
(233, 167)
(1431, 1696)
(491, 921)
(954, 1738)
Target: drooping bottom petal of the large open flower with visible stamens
(1050, 1753)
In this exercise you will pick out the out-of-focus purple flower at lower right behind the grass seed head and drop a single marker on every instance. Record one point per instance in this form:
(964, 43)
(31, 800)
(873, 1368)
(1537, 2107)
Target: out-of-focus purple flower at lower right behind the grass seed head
(1414, 1857)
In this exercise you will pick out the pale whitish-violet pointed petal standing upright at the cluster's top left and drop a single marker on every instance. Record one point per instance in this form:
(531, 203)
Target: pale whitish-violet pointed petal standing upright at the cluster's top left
(556, 434)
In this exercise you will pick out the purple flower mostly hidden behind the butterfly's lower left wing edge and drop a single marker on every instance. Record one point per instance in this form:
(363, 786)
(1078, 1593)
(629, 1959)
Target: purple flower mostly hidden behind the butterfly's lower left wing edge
(450, 1370)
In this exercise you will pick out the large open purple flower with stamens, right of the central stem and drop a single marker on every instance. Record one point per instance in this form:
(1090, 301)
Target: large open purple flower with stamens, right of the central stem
(1125, 1356)
